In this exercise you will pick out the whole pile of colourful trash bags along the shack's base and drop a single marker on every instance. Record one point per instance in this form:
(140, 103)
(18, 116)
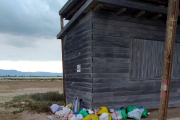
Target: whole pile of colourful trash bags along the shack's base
(73, 112)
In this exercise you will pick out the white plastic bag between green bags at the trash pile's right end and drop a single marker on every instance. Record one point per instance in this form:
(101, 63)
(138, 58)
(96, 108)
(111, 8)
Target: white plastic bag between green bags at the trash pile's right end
(136, 113)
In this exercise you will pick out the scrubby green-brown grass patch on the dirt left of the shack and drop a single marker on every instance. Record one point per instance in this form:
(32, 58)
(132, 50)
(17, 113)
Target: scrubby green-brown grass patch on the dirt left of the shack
(37, 102)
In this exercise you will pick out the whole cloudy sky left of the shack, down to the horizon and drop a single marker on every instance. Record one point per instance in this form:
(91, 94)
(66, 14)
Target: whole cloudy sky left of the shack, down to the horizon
(28, 30)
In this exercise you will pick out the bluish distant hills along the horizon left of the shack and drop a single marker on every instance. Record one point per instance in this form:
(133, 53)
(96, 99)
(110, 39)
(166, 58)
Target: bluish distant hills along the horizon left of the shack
(18, 73)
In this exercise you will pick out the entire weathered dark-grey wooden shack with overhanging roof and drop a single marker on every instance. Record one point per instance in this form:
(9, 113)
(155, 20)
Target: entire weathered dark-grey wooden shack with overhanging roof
(113, 53)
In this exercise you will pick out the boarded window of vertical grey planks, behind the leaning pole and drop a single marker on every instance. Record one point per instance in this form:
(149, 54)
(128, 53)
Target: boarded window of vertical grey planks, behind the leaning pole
(147, 60)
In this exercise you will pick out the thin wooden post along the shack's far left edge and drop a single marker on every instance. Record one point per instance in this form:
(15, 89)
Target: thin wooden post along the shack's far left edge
(63, 66)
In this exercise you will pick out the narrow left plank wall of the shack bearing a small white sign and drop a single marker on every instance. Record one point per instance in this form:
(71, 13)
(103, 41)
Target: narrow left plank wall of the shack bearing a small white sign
(77, 50)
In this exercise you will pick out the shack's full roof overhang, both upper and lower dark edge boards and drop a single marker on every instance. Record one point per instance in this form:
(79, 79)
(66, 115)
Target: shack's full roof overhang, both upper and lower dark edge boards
(90, 4)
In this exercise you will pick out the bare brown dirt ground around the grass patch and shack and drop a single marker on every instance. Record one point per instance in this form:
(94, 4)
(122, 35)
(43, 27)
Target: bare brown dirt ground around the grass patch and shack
(12, 88)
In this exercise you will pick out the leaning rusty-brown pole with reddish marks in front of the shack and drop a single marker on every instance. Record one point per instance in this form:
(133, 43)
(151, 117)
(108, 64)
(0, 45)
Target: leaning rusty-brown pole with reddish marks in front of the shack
(172, 17)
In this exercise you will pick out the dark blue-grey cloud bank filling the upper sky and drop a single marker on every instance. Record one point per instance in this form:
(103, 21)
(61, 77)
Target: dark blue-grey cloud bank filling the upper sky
(30, 17)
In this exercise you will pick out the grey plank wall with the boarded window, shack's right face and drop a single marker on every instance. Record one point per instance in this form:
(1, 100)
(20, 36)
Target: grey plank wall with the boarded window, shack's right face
(127, 62)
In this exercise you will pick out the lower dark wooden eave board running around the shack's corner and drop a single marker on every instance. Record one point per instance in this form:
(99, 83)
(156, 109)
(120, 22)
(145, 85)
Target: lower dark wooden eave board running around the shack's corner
(122, 3)
